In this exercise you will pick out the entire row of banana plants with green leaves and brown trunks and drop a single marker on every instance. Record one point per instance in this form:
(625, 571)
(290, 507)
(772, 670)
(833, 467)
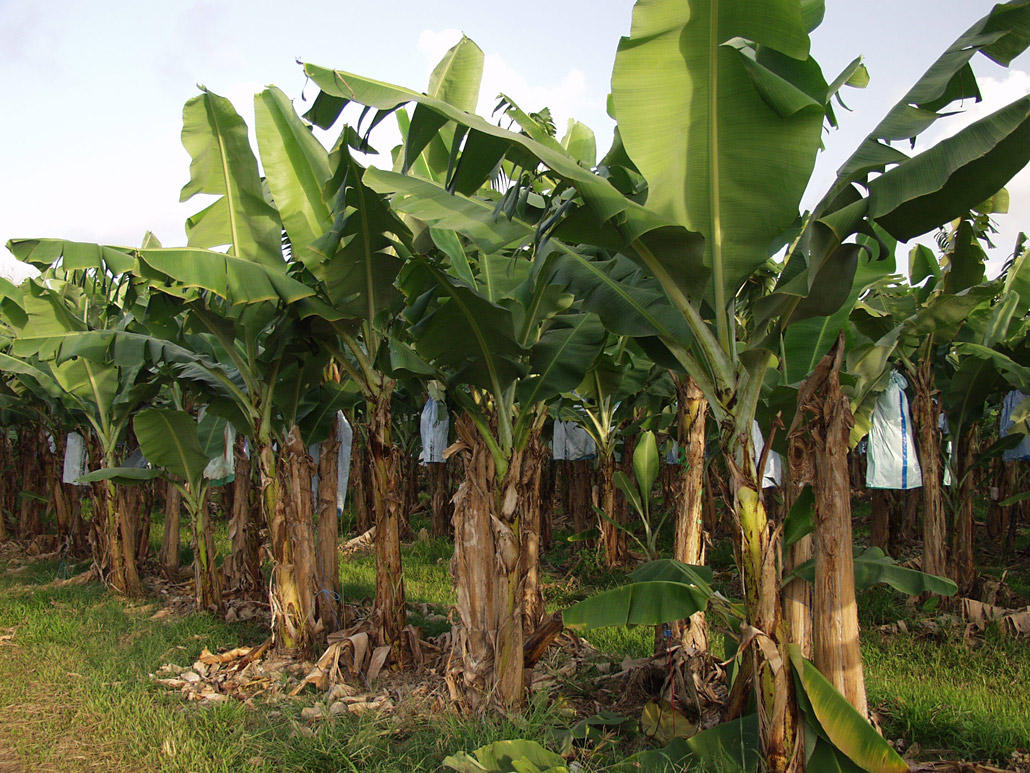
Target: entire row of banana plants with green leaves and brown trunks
(526, 280)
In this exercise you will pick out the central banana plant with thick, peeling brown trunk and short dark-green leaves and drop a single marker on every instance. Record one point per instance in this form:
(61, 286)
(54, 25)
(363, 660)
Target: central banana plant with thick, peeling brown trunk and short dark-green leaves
(526, 345)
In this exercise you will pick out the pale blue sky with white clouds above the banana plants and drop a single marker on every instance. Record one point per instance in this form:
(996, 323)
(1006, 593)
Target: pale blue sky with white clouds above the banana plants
(90, 144)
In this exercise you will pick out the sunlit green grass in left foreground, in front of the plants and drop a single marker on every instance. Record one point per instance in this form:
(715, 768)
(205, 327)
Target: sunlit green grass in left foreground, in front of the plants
(77, 695)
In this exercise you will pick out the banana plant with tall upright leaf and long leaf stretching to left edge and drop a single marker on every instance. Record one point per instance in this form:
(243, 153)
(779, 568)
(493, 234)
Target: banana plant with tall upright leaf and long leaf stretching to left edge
(241, 328)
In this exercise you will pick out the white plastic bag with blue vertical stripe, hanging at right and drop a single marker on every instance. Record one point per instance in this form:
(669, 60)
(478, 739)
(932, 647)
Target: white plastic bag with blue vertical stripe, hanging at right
(892, 459)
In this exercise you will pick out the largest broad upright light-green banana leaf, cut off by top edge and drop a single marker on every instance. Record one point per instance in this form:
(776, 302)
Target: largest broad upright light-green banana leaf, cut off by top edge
(714, 137)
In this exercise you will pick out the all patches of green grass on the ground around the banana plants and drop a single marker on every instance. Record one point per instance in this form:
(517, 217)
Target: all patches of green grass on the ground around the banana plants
(75, 693)
